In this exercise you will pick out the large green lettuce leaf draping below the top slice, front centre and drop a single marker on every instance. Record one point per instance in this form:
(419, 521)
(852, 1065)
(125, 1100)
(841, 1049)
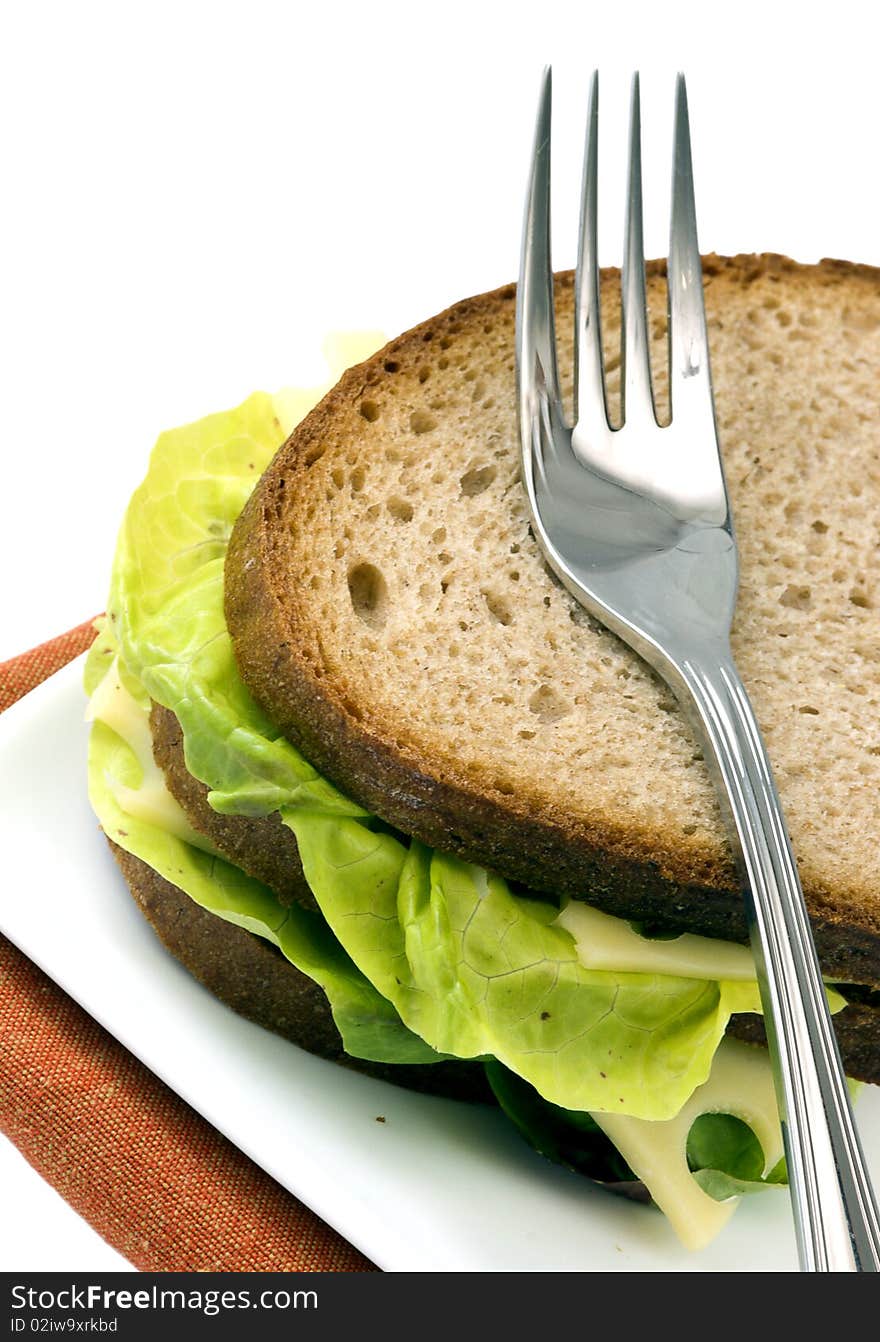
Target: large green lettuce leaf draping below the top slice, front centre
(478, 971)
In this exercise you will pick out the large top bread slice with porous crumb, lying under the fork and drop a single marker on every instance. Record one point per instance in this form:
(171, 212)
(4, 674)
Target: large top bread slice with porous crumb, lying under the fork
(391, 611)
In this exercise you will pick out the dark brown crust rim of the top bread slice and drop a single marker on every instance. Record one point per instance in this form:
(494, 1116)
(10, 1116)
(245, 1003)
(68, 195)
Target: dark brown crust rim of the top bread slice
(615, 865)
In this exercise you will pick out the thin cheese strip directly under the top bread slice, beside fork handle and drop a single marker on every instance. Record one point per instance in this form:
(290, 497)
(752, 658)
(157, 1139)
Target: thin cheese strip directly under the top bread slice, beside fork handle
(608, 943)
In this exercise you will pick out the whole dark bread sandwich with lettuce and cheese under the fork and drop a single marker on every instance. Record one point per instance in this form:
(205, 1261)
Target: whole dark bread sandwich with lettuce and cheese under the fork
(386, 788)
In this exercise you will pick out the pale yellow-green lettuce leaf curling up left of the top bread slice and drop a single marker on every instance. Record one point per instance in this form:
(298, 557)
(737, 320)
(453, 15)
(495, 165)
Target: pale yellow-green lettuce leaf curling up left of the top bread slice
(167, 609)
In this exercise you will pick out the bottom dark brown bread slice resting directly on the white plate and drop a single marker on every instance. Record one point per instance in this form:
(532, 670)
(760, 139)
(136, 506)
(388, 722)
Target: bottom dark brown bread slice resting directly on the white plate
(256, 980)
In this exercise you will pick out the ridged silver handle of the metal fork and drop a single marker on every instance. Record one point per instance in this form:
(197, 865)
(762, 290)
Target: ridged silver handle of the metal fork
(835, 1214)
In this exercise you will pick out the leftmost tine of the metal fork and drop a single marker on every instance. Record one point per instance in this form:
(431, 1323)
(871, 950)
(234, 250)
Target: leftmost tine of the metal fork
(536, 332)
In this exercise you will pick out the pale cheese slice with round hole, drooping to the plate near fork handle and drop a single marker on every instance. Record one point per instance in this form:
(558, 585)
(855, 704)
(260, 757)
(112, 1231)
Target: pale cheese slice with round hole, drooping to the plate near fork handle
(741, 1084)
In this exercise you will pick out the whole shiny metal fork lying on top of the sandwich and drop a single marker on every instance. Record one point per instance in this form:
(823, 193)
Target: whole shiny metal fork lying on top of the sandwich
(637, 524)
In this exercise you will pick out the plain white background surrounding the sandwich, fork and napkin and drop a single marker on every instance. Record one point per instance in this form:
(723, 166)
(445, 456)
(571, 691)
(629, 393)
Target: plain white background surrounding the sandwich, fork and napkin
(195, 194)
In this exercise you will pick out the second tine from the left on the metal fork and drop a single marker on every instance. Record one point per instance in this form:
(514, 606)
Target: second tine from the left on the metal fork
(591, 401)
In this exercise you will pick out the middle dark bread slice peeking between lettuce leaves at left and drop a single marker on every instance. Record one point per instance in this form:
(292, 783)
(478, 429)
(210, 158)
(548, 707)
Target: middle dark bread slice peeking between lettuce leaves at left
(262, 846)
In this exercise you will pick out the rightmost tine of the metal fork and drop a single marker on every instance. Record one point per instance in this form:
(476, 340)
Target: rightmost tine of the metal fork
(690, 382)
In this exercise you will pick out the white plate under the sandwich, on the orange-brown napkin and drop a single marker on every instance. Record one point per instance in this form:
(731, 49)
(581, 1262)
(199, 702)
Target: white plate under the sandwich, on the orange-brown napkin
(435, 1187)
